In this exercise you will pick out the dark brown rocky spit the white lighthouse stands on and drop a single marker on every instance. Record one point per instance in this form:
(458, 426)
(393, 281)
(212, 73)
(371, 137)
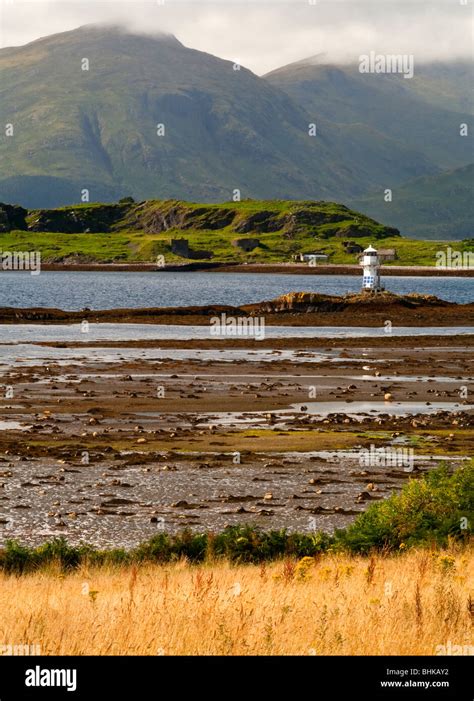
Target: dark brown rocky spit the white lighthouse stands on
(304, 309)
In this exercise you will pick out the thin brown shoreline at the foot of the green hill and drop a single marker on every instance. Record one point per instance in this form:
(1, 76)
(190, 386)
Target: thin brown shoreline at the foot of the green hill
(262, 268)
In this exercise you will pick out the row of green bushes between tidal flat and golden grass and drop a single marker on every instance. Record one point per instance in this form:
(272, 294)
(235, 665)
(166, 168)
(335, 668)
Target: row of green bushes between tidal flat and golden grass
(430, 510)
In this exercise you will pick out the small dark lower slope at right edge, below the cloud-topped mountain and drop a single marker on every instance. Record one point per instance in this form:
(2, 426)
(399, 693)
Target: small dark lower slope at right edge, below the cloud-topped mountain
(437, 207)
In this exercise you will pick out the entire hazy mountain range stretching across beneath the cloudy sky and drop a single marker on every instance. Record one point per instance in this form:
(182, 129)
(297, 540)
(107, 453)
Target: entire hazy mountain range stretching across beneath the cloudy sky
(224, 129)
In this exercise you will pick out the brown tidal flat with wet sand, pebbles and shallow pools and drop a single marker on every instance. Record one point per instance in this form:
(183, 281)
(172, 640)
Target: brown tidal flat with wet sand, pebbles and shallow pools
(117, 441)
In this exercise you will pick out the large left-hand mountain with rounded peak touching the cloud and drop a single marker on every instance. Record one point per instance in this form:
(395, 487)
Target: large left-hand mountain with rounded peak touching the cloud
(225, 129)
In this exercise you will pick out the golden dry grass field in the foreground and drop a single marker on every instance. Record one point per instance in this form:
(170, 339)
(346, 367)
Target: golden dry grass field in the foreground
(406, 604)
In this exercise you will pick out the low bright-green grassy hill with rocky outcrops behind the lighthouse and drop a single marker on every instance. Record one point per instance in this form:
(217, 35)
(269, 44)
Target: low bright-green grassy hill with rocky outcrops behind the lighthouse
(140, 232)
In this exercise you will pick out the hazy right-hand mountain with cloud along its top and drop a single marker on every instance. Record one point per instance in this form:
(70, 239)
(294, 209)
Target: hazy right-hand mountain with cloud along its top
(420, 117)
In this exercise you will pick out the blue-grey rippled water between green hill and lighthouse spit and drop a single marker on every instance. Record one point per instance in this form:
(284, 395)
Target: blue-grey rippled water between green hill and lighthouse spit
(106, 290)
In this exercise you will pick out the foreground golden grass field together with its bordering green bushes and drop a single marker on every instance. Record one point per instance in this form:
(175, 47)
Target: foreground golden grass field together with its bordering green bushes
(249, 592)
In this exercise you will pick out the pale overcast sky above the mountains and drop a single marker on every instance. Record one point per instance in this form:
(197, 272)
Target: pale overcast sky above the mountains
(264, 34)
